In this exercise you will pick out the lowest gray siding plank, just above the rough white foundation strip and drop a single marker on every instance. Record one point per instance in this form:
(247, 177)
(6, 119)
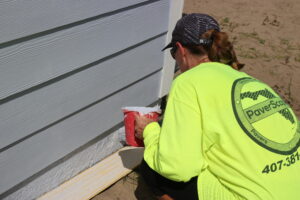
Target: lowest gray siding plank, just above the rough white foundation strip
(36, 153)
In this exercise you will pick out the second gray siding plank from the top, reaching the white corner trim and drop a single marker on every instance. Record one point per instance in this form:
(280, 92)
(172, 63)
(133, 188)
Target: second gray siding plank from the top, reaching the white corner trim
(45, 58)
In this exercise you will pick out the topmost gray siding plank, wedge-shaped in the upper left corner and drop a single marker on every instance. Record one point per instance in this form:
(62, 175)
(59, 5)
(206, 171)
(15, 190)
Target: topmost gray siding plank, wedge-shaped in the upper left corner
(22, 18)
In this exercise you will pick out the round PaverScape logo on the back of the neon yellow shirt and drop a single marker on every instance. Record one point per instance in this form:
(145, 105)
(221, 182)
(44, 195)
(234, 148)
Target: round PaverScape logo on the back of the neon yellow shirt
(265, 117)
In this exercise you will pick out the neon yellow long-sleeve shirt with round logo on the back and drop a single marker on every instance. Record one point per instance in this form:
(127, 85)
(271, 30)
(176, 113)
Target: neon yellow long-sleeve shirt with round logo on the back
(232, 131)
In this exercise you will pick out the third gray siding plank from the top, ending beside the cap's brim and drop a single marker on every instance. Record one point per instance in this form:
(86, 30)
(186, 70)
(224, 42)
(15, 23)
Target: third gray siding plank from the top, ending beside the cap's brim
(53, 102)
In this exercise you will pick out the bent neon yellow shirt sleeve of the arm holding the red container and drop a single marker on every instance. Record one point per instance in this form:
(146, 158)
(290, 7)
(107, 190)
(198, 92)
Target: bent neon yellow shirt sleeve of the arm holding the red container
(174, 150)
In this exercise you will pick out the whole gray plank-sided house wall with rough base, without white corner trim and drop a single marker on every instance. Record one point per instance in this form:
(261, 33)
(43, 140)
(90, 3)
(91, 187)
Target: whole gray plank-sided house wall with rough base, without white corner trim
(66, 69)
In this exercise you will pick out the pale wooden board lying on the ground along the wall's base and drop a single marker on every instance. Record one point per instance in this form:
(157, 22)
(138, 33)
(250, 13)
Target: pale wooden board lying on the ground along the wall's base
(90, 182)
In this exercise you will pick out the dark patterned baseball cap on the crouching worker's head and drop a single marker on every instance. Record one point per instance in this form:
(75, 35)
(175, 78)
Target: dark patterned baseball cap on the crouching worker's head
(190, 27)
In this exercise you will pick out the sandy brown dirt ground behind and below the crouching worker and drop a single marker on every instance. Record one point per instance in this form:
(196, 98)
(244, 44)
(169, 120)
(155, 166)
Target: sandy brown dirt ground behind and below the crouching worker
(266, 35)
